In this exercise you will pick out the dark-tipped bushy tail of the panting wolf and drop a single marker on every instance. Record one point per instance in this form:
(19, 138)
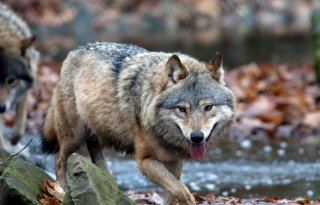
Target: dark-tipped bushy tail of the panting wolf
(49, 144)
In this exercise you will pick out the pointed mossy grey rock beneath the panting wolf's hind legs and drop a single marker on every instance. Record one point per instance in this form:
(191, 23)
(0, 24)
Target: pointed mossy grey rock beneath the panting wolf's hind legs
(87, 184)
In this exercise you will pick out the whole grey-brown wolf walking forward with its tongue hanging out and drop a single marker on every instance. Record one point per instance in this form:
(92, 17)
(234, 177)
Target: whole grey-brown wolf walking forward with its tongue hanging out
(164, 107)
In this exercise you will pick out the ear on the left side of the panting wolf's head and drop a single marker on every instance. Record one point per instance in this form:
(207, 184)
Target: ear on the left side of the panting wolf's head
(175, 70)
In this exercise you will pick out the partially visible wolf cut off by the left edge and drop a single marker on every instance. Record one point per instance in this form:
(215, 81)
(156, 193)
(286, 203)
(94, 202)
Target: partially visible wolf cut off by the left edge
(18, 63)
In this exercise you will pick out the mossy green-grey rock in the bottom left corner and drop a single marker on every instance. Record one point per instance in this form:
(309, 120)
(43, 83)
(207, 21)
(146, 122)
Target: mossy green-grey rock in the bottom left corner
(20, 183)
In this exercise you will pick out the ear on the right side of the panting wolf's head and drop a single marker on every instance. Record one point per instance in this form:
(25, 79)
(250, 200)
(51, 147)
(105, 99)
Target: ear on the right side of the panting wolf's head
(216, 69)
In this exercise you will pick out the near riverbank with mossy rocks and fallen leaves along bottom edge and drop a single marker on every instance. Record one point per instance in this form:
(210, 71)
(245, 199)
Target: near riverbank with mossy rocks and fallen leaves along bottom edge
(30, 185)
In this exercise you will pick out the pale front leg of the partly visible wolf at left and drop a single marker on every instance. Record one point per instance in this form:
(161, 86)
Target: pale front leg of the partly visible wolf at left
(20, 121)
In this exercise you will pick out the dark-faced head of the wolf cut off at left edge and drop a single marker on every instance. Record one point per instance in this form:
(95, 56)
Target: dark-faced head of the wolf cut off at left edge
(15, 72)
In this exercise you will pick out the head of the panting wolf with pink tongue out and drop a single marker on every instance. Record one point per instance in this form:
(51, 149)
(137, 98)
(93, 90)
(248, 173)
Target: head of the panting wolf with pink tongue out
(194, 105)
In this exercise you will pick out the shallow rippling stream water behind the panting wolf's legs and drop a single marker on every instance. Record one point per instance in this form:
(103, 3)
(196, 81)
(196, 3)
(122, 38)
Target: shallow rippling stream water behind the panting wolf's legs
(243, 169)
